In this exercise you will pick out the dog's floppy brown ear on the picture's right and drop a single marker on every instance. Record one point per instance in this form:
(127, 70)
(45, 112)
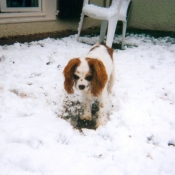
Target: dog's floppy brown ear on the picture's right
(99, 77)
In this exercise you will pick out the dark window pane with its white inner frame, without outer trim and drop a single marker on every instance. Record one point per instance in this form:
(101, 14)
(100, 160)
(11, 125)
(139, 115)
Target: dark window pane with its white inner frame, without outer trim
(20, 5)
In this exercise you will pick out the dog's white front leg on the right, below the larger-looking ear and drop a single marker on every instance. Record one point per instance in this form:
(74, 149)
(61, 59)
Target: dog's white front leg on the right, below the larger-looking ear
(103, 108)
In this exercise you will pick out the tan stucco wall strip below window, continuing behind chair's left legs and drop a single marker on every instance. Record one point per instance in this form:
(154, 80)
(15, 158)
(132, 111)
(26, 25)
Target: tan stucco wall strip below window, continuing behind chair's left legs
(31, 28)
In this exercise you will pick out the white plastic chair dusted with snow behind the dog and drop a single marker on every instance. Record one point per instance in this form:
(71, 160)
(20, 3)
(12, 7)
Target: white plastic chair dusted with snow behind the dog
(108, 16)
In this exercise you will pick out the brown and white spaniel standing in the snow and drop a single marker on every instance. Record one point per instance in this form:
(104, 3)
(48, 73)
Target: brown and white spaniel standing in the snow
(92, 74)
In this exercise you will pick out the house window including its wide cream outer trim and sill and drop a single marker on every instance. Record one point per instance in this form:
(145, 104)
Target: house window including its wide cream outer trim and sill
(16, 11)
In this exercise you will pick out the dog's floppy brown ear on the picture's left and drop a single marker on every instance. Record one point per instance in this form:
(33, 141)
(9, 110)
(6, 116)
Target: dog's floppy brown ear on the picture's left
(68, 74)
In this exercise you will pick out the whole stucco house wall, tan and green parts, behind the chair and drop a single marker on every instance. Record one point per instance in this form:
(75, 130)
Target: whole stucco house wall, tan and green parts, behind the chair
(145, 14)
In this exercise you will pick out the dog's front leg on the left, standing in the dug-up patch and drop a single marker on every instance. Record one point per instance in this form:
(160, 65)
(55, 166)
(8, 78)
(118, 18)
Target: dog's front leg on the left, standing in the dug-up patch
(87, 108)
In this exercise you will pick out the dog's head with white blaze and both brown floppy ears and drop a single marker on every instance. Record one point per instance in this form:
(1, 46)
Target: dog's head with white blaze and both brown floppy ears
(86, 74)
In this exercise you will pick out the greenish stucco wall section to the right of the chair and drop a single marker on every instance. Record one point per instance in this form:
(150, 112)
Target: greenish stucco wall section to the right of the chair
(153, 15)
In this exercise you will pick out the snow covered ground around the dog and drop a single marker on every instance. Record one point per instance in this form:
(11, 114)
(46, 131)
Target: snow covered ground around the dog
(139, 138)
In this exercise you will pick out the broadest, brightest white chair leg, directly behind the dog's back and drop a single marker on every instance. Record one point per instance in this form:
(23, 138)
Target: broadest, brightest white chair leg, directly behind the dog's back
(111, 31)
